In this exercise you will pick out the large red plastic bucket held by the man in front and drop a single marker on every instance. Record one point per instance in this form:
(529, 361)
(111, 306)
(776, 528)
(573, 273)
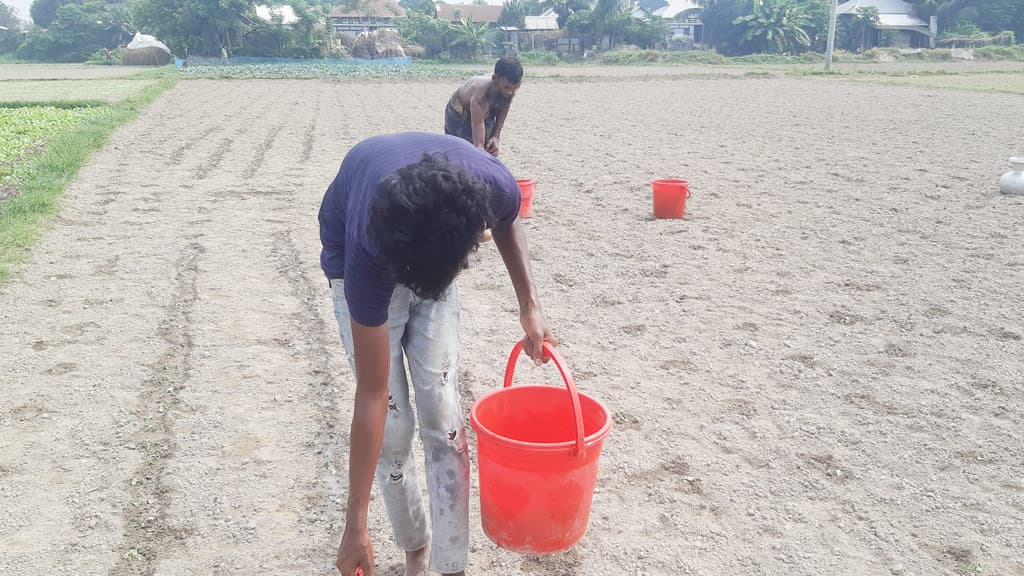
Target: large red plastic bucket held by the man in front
(538, 449)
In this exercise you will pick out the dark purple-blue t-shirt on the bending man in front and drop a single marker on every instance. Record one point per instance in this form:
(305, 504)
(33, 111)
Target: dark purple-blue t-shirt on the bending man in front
(345, 214)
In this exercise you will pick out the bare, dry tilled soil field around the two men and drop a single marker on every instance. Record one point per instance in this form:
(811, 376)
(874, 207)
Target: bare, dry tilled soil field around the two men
(821, 372)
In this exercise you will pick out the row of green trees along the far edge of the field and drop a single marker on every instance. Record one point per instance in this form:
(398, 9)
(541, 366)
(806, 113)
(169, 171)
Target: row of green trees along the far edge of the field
(76, 30)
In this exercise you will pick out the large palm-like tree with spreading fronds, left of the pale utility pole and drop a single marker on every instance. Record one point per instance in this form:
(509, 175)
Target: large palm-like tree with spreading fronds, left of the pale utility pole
(776, 26)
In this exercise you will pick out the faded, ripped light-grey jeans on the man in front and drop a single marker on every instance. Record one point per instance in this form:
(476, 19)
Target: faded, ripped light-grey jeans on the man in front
(424, 335)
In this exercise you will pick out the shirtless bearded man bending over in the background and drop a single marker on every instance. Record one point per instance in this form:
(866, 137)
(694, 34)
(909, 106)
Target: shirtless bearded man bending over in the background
(478, 110)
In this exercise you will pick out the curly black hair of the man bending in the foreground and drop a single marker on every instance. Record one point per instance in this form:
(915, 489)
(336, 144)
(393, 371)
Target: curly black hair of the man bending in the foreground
(425, 220)
